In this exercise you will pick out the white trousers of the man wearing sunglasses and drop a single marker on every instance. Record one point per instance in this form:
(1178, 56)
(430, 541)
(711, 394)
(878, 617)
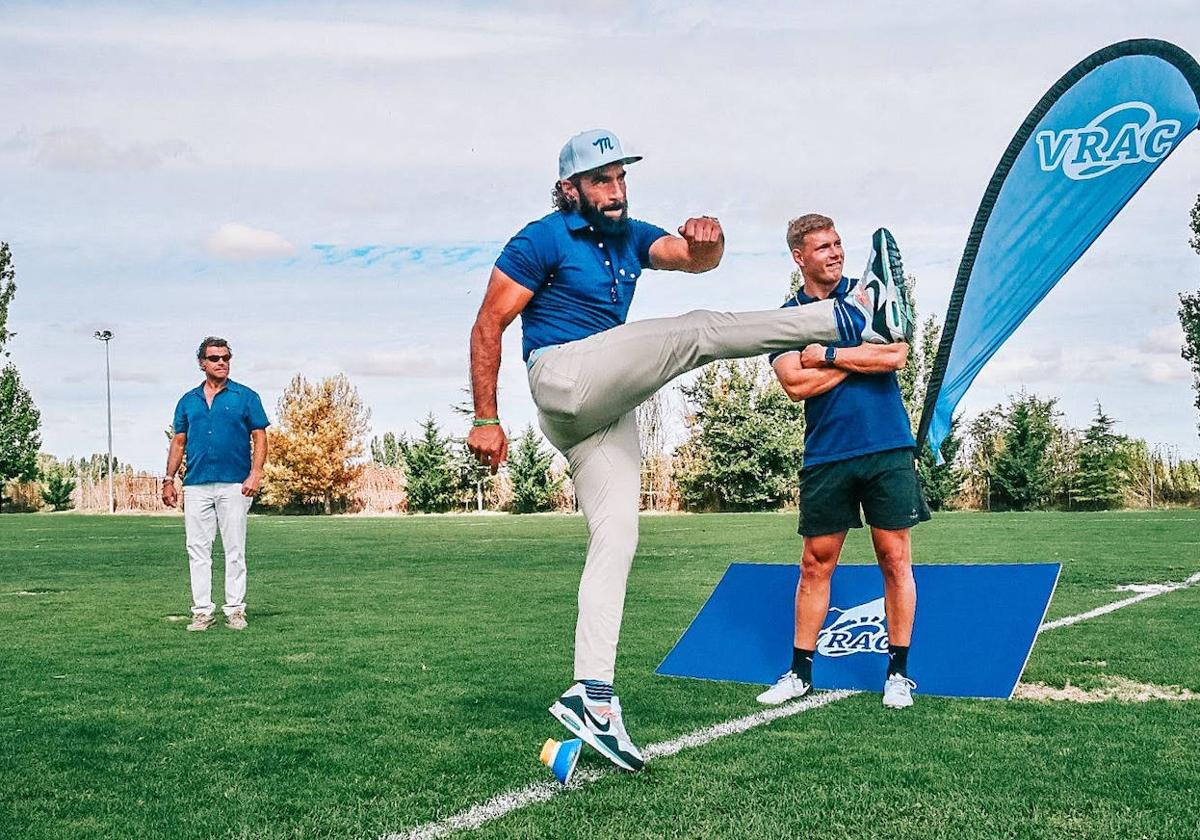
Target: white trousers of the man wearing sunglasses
(207, 508)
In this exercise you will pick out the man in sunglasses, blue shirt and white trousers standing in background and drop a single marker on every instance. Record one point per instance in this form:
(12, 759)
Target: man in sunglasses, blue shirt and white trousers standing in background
(223, 428)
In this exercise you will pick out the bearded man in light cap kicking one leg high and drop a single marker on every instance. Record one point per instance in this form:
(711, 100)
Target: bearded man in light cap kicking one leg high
(572, 278)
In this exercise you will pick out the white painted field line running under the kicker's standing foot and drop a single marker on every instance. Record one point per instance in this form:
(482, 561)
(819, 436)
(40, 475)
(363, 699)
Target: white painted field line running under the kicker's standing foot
(513, 801)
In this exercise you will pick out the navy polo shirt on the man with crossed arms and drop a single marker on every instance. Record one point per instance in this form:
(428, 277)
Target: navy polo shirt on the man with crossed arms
(862, 415)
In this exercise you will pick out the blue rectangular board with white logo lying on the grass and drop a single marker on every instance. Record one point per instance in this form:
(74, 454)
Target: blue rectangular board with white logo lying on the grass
(974, 632)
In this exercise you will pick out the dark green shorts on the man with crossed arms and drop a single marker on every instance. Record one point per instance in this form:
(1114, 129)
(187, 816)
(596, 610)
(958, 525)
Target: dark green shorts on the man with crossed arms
(884, 484)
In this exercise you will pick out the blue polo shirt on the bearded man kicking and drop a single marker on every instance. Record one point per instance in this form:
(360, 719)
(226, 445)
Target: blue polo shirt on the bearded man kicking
(583, 281)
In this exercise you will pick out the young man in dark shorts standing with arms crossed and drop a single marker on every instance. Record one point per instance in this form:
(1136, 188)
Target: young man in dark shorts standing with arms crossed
(844, 392)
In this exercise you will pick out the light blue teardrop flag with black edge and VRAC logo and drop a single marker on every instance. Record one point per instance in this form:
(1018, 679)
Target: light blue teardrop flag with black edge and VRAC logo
(1082, 154)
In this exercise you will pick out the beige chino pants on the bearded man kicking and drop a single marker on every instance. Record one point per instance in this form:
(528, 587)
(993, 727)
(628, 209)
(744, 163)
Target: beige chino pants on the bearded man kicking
(586, 393)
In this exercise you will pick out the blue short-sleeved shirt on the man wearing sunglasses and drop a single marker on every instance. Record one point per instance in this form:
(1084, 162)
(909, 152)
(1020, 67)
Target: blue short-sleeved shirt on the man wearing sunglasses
(219, 437)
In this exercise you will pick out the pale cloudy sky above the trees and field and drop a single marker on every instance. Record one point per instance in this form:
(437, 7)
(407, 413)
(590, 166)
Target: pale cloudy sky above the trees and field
(327, 185)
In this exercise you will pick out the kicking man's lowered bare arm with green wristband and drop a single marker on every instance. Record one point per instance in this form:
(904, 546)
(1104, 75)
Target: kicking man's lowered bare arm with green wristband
(503, 302)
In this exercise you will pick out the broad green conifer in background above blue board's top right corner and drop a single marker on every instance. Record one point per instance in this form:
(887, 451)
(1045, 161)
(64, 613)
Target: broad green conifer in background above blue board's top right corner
(1022, 473)
